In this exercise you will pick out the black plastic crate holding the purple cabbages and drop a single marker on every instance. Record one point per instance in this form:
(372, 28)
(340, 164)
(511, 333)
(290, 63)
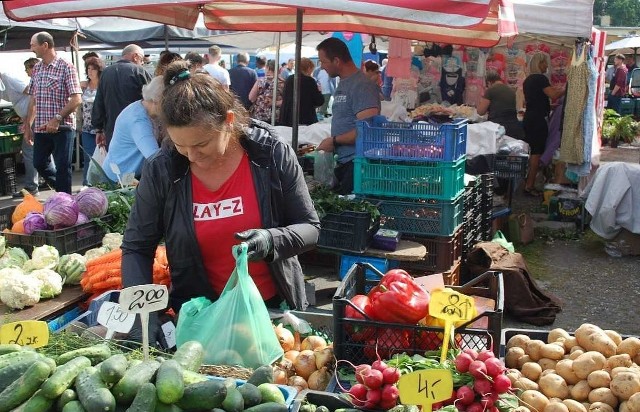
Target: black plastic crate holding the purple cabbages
(74, 239)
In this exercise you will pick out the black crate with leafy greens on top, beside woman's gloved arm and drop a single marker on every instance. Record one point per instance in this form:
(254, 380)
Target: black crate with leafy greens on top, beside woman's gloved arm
(347, 231)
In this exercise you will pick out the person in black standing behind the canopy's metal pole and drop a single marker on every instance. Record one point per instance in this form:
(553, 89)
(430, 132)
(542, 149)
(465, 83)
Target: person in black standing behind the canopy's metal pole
(310, 97)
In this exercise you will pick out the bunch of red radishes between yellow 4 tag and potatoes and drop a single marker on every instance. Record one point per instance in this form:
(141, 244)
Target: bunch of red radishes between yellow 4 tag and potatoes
(489, 383)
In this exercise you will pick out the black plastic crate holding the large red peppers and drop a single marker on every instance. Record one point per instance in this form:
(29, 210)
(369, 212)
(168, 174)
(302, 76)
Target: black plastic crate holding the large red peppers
(400, 338)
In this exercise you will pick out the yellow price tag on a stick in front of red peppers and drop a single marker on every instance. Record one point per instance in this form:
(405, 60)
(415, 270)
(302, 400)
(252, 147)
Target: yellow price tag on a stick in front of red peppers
(450, 306)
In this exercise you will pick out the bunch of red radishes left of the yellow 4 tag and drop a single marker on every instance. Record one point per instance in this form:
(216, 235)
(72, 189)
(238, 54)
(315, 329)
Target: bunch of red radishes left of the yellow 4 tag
(376, 387)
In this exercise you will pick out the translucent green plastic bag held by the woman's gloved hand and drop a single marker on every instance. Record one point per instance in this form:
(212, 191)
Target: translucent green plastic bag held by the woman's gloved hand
(235, 329)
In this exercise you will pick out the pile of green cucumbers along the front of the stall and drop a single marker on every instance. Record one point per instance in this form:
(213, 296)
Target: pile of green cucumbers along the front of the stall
(92, 379)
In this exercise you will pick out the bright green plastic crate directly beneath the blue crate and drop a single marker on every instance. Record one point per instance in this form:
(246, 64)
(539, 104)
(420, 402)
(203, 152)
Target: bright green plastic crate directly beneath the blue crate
(423, 180)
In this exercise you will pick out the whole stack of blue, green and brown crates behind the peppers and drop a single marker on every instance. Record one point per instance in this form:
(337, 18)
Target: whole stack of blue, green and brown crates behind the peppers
(415, 171)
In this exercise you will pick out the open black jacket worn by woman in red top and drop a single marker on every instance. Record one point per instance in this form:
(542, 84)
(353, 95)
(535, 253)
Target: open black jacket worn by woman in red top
(163, 209)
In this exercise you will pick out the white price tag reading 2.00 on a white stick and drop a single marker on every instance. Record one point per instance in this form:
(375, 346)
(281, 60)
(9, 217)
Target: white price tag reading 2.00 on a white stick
(144, 299)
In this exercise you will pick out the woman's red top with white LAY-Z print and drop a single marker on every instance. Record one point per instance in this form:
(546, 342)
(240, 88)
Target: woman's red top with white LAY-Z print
(217, 216)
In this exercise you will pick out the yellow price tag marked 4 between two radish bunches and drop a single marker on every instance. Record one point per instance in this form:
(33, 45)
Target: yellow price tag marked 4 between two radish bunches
(425, 387)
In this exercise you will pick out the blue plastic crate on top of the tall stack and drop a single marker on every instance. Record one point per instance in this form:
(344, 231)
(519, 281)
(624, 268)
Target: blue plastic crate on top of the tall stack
(379, 138)
